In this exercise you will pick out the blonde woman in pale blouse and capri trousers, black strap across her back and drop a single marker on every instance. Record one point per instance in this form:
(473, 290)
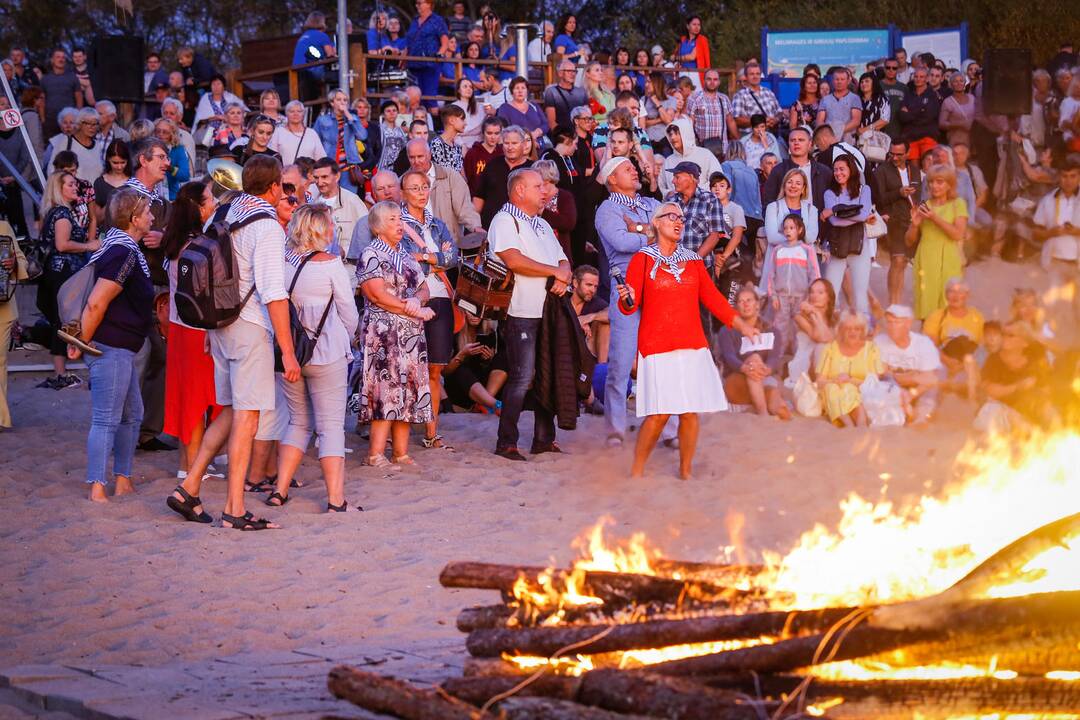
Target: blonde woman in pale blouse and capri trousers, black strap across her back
(321, 293)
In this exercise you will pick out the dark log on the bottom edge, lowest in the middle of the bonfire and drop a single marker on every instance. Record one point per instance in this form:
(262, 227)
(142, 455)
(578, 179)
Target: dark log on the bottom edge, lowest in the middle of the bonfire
(623, 692)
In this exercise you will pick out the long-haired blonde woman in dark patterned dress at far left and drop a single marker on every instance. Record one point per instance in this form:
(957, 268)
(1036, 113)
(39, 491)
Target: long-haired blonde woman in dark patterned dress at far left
(70, 247)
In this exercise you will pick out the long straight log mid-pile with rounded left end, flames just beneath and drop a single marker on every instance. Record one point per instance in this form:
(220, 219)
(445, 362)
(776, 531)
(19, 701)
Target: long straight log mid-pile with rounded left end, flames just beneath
(492, 643)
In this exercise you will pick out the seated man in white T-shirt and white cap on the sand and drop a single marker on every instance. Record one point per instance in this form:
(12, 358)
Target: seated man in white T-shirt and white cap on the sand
(912, 362)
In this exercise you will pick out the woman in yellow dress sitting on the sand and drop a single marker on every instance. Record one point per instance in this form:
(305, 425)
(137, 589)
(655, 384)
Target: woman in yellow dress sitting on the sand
(843, 366)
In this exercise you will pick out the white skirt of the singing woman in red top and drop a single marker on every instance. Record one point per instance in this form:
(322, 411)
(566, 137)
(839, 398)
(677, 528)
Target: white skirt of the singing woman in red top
(680, 382)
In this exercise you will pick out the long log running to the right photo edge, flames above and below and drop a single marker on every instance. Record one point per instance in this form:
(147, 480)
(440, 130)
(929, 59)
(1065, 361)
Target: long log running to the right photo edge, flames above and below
(1030, 616)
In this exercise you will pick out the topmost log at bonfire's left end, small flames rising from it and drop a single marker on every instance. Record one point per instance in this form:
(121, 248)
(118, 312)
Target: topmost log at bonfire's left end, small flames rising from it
(614, 589)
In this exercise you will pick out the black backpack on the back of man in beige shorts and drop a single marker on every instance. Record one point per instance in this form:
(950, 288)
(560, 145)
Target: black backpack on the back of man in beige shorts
(208, 277)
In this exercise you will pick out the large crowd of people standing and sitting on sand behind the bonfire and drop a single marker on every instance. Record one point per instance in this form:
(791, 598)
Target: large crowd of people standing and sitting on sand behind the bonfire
(674, 251)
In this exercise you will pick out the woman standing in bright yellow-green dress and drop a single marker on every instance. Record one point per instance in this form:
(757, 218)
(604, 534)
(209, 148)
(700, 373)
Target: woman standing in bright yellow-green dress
(939, 225)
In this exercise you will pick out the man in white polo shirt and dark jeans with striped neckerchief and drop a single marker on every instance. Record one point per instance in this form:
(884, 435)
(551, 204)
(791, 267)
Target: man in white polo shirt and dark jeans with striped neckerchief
(529, 247)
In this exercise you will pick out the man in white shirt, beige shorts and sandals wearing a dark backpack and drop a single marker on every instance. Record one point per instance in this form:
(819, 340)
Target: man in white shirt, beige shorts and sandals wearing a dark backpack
(241, 336)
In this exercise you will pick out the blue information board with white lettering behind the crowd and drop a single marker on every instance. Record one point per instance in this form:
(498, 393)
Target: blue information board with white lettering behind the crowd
(786, 53)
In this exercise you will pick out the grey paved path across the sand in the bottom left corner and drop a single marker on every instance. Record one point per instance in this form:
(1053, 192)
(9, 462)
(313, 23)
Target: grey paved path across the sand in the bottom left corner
(275, 685)
